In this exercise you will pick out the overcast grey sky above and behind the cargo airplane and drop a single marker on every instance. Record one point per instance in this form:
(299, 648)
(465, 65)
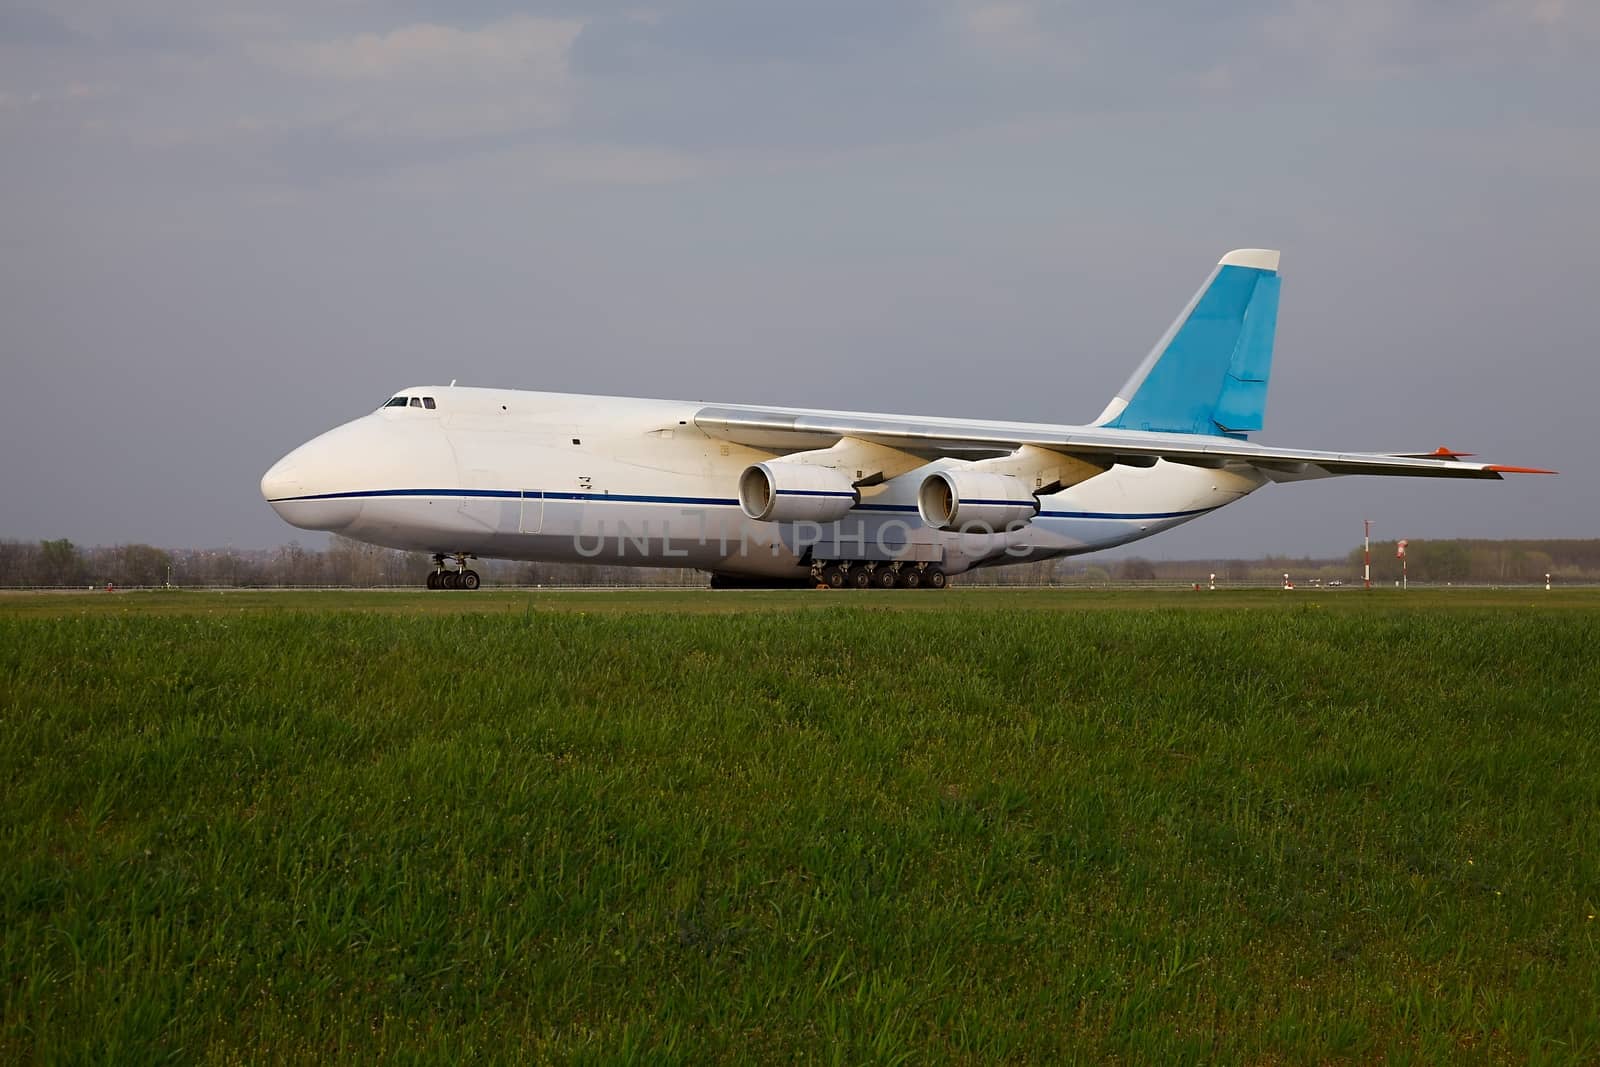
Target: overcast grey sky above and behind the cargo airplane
(226, 228)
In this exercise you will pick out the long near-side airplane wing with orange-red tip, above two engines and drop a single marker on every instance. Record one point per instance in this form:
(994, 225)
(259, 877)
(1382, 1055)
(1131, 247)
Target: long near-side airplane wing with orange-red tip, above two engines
(793, 430)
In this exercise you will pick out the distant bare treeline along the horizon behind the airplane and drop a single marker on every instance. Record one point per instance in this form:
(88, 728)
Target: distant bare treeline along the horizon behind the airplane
(351, 564)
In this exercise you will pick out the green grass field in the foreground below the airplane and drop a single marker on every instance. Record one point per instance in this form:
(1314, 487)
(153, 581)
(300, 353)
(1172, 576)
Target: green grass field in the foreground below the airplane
(850, 828)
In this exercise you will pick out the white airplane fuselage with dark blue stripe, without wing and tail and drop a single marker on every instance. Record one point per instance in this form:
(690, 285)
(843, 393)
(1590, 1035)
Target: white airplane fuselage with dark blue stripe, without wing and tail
(559, 478)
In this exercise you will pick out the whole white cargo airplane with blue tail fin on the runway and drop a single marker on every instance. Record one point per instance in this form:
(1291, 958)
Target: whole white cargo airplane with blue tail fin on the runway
(841, 498)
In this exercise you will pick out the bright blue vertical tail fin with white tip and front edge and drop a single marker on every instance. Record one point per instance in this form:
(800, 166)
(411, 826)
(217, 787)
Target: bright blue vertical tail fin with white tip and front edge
(1209, 374)
